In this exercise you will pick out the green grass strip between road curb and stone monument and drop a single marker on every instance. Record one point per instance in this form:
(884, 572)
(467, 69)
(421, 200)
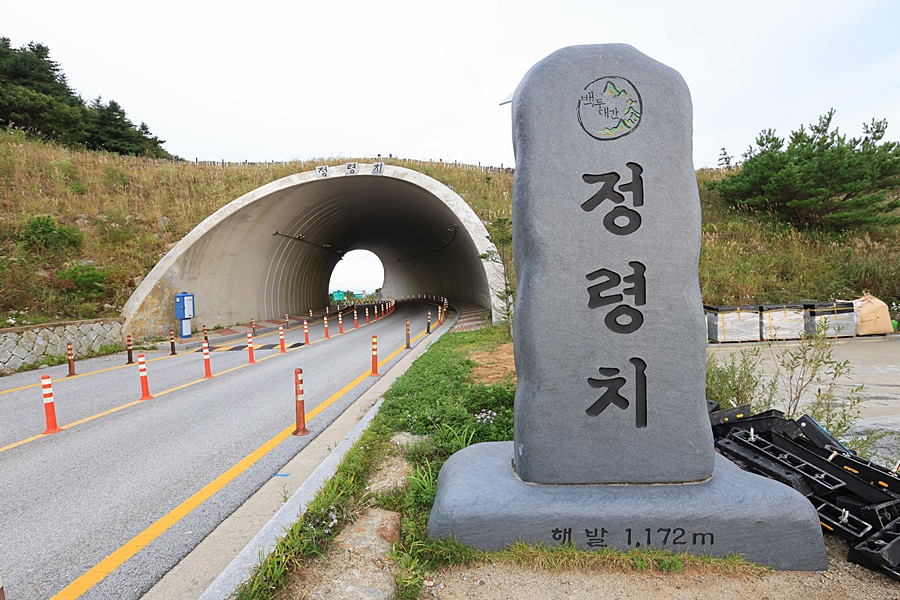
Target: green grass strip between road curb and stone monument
(439, 398)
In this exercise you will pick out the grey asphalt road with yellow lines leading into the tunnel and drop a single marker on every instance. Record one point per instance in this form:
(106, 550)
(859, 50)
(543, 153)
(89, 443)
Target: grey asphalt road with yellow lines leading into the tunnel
(70, 500)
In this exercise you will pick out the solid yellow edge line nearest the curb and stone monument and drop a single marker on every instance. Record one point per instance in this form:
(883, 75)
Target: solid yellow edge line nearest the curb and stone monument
(112, 562)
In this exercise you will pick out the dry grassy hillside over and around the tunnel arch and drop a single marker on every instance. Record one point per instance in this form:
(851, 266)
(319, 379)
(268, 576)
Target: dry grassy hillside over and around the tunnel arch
(129, 211)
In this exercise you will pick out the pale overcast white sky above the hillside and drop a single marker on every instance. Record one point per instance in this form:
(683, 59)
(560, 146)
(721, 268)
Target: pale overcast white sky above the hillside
(298, 80)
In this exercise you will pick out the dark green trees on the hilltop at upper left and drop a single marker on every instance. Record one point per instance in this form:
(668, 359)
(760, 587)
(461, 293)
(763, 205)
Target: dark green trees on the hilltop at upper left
(36, 97)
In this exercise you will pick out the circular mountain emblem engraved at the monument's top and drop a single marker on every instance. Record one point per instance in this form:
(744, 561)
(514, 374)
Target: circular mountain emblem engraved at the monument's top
(609, 108)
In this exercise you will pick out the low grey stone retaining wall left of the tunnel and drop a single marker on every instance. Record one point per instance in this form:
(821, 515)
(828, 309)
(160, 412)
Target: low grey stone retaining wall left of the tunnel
(29, 345)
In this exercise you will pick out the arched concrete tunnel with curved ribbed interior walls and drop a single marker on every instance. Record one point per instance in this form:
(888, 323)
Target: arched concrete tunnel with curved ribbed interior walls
(428, 239)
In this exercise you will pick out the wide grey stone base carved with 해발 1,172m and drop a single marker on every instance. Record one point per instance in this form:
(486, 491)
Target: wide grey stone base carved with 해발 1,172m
(482, 503)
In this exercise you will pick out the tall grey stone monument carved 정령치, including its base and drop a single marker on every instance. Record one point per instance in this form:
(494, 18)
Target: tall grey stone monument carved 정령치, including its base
(613, 446)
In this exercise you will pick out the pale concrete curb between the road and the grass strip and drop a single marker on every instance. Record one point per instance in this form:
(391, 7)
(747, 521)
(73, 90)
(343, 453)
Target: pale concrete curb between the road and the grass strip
(240, 569)
